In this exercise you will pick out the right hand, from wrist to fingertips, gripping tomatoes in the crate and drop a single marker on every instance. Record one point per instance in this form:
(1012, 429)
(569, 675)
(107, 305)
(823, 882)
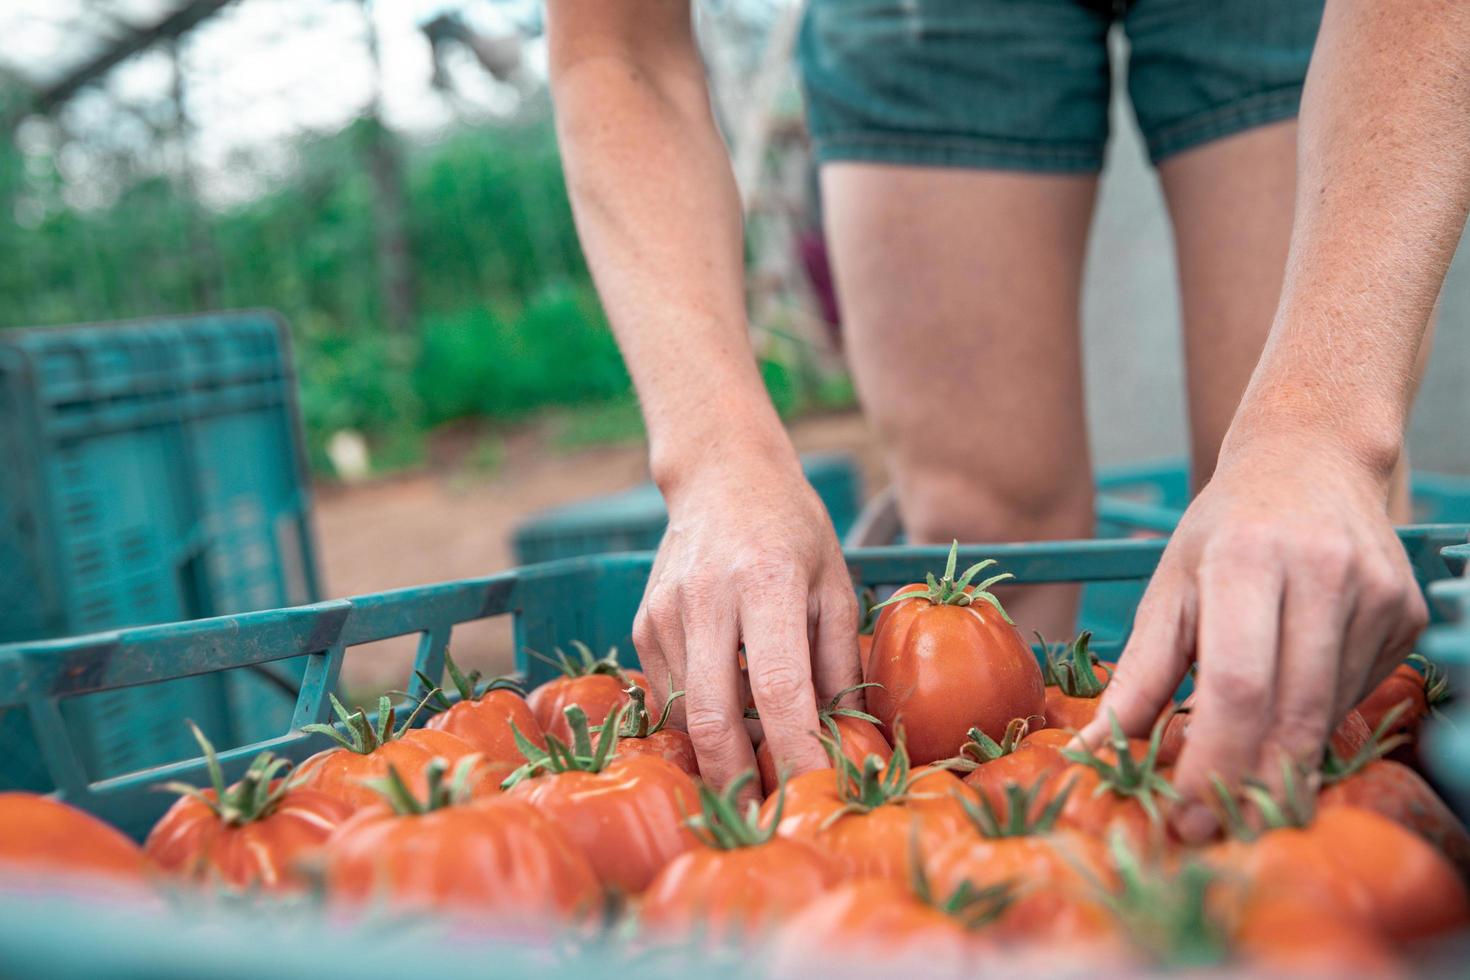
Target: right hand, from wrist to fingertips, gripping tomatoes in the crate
(1287, 584)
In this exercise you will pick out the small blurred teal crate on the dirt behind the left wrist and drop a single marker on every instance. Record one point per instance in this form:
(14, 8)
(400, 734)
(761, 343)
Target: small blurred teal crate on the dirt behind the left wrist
(634, 521)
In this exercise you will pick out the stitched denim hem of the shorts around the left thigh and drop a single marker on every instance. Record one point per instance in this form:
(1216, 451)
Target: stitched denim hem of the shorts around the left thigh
(956, 152)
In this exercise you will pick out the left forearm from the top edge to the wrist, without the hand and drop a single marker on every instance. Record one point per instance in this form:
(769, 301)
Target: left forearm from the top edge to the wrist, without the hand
(661, 224)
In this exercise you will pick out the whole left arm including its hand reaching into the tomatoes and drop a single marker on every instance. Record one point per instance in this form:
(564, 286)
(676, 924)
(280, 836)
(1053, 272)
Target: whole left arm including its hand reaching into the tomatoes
(750, 555)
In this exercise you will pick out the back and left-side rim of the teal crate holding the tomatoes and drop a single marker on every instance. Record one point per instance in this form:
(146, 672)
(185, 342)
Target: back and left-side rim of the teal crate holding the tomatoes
(580, 599)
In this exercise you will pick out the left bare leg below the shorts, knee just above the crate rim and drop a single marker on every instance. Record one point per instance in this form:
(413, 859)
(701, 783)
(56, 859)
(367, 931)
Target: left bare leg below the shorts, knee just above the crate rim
(961, 293)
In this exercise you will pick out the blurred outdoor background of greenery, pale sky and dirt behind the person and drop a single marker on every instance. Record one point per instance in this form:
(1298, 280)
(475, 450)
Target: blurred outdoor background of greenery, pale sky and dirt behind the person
(384, 174)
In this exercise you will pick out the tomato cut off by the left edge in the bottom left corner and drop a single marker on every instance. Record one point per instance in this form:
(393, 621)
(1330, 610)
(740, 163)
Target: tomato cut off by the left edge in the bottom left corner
(42, 837)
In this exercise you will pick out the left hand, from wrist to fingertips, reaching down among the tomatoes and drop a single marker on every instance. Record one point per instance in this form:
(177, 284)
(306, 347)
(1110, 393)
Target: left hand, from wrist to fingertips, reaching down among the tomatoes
(750, 558)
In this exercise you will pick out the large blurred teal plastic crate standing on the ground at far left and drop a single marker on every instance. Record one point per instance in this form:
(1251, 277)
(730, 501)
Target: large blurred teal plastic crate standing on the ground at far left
(154, 474)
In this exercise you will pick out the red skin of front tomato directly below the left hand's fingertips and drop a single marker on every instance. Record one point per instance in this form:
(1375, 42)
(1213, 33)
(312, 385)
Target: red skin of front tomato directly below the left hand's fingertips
(727, 897)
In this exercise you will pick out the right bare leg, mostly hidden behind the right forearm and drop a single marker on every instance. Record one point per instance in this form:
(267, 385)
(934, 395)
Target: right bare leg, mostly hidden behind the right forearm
(1231, 203)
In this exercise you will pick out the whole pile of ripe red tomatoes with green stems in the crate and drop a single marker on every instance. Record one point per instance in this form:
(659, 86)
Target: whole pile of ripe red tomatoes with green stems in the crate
(959, 828)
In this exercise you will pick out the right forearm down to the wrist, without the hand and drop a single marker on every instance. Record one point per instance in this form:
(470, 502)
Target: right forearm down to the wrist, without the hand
(1384, 183)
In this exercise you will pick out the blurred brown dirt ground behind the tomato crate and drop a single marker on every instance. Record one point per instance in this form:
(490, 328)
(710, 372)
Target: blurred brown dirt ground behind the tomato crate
(452, 524)
